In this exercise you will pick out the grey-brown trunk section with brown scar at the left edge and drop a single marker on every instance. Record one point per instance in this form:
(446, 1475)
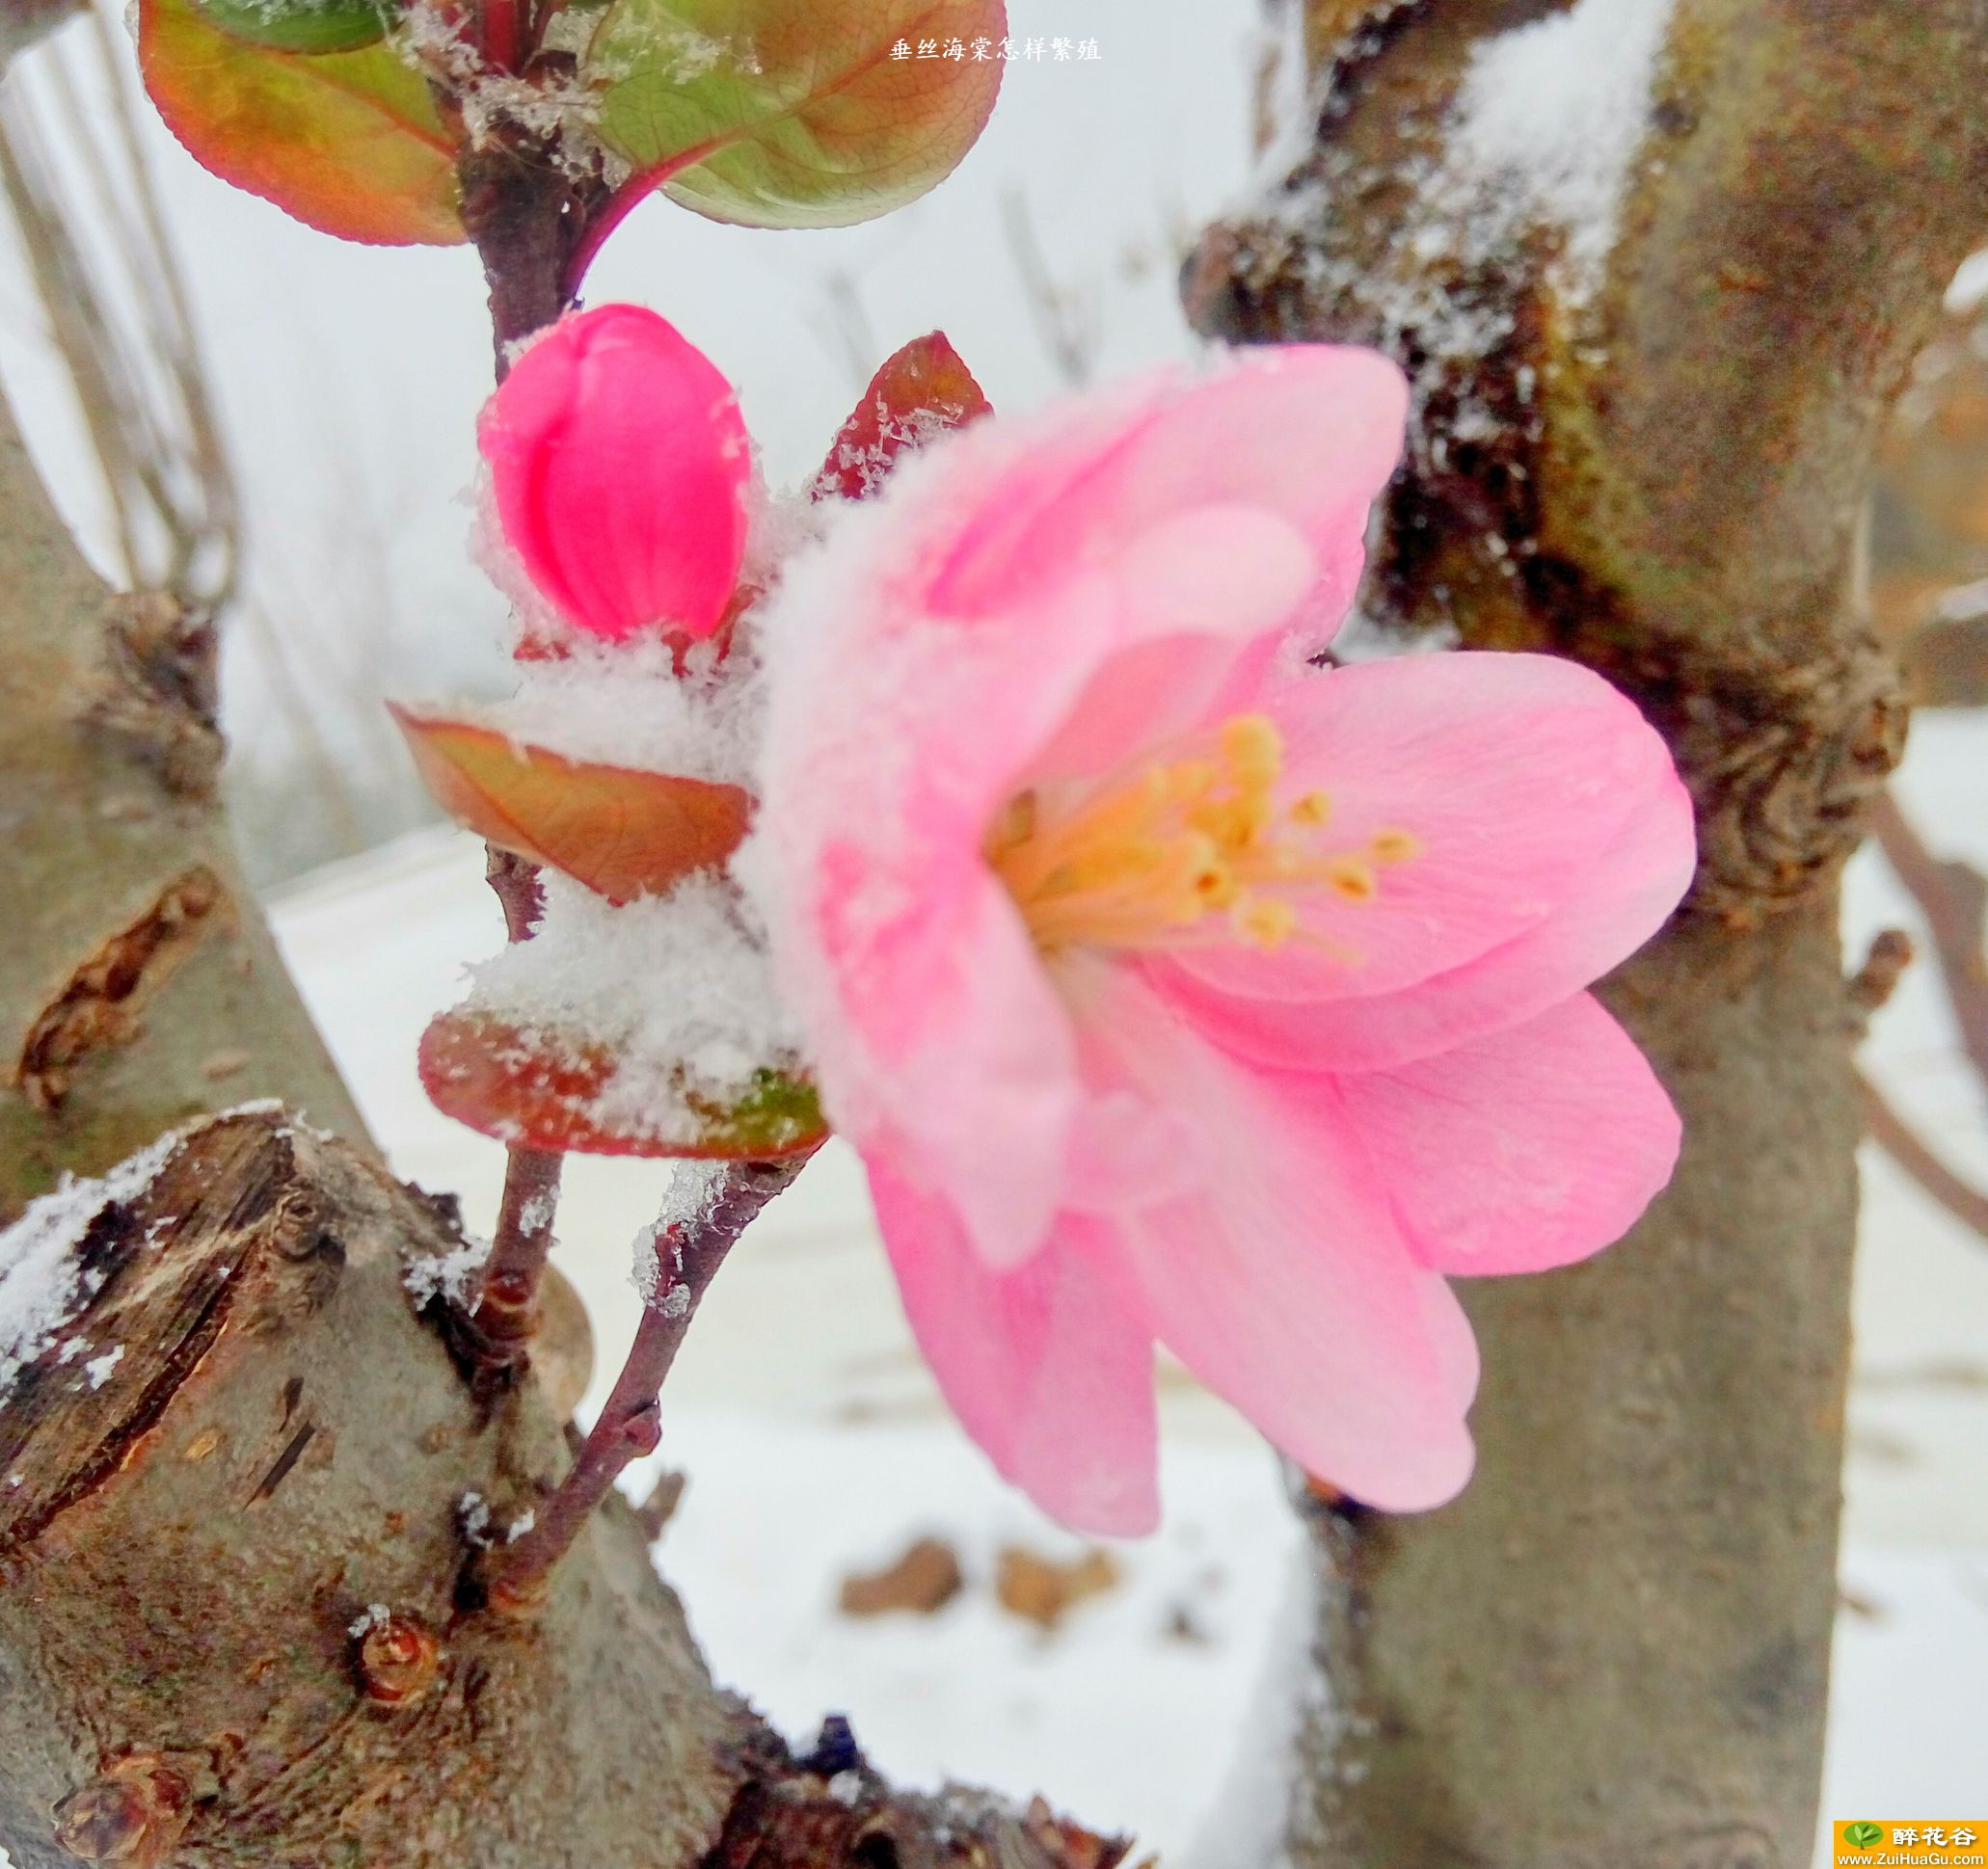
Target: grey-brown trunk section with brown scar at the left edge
(140, 983)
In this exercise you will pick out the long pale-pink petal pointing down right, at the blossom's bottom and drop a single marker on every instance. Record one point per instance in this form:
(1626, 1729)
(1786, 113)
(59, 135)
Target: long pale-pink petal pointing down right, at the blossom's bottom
(1287, 1285)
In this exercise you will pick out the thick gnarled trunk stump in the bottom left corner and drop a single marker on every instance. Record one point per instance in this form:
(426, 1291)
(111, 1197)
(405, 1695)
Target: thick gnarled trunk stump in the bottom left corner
(240, 1619)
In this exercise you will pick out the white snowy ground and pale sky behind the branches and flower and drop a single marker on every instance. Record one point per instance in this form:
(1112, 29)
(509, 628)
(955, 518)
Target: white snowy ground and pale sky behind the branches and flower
(349, 381)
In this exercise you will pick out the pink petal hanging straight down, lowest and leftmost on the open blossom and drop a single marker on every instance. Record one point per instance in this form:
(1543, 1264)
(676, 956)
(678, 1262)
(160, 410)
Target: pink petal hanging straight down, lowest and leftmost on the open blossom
(1045, 1367)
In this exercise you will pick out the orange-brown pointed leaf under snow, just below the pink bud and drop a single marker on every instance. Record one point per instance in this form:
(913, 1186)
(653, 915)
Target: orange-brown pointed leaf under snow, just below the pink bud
(617, 830)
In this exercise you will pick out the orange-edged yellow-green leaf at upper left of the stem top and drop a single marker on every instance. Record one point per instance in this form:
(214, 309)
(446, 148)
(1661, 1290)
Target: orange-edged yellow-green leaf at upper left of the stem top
(347, 142)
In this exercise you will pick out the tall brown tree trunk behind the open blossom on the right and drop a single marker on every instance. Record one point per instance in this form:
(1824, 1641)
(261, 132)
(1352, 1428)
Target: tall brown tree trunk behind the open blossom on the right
(1613, 1651)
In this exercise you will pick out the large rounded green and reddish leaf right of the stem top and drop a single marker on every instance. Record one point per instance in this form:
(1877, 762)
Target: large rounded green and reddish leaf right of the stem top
(794, 112)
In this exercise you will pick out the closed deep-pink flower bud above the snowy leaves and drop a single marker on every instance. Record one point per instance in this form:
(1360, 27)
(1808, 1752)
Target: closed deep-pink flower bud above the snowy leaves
(621, 466)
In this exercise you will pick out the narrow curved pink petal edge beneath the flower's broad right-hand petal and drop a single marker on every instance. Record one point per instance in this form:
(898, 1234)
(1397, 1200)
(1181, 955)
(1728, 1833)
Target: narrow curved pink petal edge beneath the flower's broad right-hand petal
(1615, 910)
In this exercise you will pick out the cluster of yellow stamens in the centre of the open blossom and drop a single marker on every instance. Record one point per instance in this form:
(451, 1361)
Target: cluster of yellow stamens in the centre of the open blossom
(1184, 852)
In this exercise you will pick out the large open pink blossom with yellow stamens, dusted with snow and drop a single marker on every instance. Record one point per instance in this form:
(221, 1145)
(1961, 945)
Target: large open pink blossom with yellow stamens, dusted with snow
(1174, 989)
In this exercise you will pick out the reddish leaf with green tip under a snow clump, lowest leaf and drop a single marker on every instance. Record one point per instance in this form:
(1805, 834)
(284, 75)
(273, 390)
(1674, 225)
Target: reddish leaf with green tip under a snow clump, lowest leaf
(546, 1091)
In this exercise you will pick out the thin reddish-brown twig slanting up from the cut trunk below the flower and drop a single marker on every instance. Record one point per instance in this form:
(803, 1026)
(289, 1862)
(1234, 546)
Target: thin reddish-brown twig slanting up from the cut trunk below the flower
(631, 1423)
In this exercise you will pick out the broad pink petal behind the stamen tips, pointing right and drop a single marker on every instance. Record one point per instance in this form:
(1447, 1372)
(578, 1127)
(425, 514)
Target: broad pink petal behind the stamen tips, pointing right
(1510, 774)
